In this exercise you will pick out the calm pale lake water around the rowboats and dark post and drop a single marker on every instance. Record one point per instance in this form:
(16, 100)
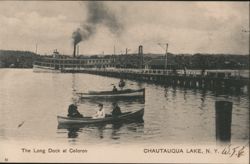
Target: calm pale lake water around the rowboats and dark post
(172, 115)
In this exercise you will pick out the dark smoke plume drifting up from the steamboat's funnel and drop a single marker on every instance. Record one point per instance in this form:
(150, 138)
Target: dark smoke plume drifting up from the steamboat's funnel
(97, 13)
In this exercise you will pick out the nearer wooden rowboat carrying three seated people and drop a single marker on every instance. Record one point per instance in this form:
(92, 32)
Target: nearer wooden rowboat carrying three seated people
(126, 116)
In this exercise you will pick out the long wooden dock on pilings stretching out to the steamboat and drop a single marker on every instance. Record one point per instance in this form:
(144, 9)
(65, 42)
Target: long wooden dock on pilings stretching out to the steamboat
(210, 79)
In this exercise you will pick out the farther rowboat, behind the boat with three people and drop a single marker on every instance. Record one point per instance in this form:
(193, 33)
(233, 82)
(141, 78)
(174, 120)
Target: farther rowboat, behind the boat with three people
(127, 93)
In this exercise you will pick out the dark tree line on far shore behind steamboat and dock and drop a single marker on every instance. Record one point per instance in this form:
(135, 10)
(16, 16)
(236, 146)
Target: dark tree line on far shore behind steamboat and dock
(25, 59)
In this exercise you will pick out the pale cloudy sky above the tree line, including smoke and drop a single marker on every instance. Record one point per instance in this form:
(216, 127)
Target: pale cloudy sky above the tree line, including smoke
(187, 27)
